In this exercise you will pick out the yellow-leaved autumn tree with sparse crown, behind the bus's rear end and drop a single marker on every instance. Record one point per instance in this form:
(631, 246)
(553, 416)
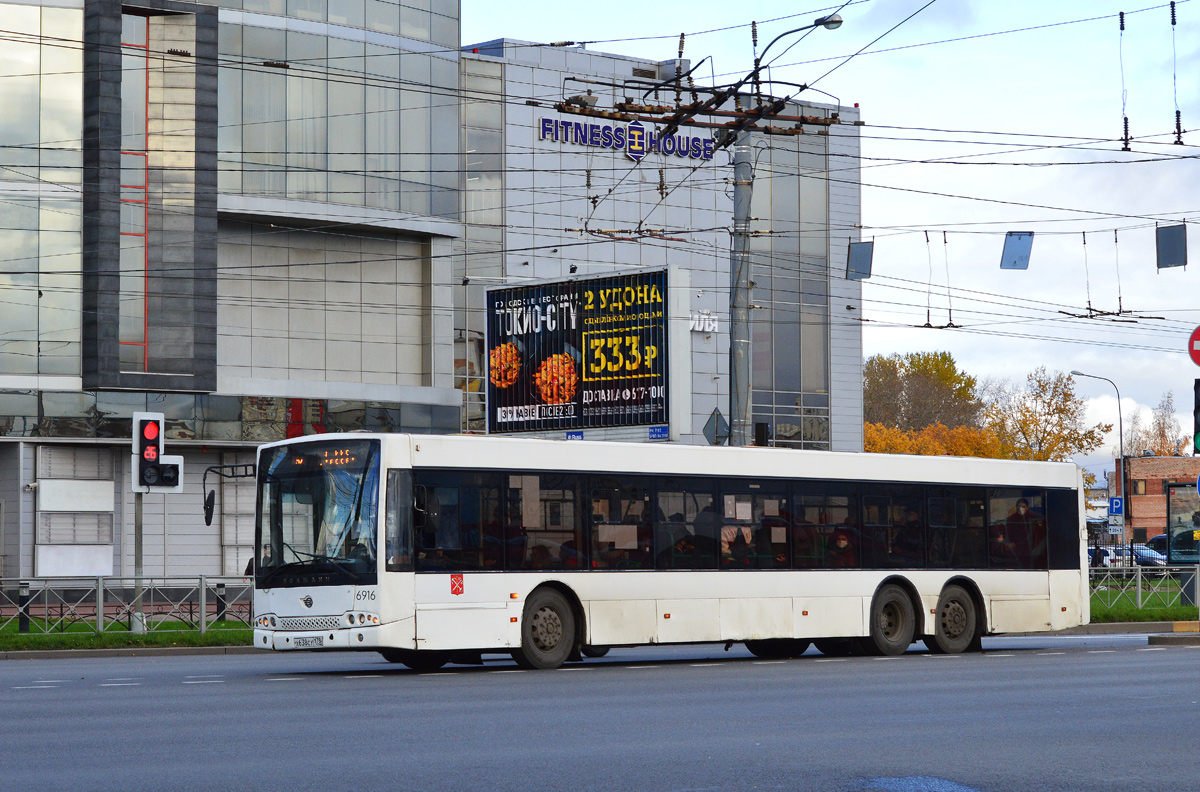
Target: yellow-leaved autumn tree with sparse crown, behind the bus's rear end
(1043, 421)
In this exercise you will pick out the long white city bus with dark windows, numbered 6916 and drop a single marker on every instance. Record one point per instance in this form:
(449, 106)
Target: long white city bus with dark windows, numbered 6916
(437, 549)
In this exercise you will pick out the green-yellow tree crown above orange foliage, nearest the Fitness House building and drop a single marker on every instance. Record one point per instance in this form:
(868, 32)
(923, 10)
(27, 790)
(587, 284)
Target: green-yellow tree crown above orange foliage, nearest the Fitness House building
(919, 389)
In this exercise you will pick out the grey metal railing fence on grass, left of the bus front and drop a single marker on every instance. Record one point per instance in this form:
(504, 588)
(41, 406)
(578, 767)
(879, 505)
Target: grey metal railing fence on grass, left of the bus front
(115, 604)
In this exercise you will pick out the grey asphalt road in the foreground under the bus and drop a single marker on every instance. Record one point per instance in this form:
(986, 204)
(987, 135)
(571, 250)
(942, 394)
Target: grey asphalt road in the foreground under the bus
(1039, 713)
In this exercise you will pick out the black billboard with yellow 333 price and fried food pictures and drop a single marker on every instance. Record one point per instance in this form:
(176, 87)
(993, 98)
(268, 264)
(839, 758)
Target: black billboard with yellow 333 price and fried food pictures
(578, 355)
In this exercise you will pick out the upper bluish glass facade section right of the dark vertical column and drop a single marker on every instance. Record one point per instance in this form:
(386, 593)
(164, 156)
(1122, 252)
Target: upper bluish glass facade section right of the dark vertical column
(341, 103)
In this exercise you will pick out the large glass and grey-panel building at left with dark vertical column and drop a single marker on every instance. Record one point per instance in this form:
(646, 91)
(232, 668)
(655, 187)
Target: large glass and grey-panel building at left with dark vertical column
(236, 213)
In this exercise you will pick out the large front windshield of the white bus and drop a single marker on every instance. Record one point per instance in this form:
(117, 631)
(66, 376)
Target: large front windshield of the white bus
(319, 513)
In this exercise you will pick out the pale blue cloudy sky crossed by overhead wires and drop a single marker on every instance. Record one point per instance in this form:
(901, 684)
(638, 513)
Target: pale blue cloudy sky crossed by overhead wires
(982, 118)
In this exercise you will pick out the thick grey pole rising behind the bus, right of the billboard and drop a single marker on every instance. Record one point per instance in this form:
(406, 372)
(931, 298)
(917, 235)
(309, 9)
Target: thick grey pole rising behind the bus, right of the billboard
(740, 295)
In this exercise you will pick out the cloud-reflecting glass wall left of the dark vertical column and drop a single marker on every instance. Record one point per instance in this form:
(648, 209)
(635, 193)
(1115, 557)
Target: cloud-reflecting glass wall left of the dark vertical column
(41, 171)
